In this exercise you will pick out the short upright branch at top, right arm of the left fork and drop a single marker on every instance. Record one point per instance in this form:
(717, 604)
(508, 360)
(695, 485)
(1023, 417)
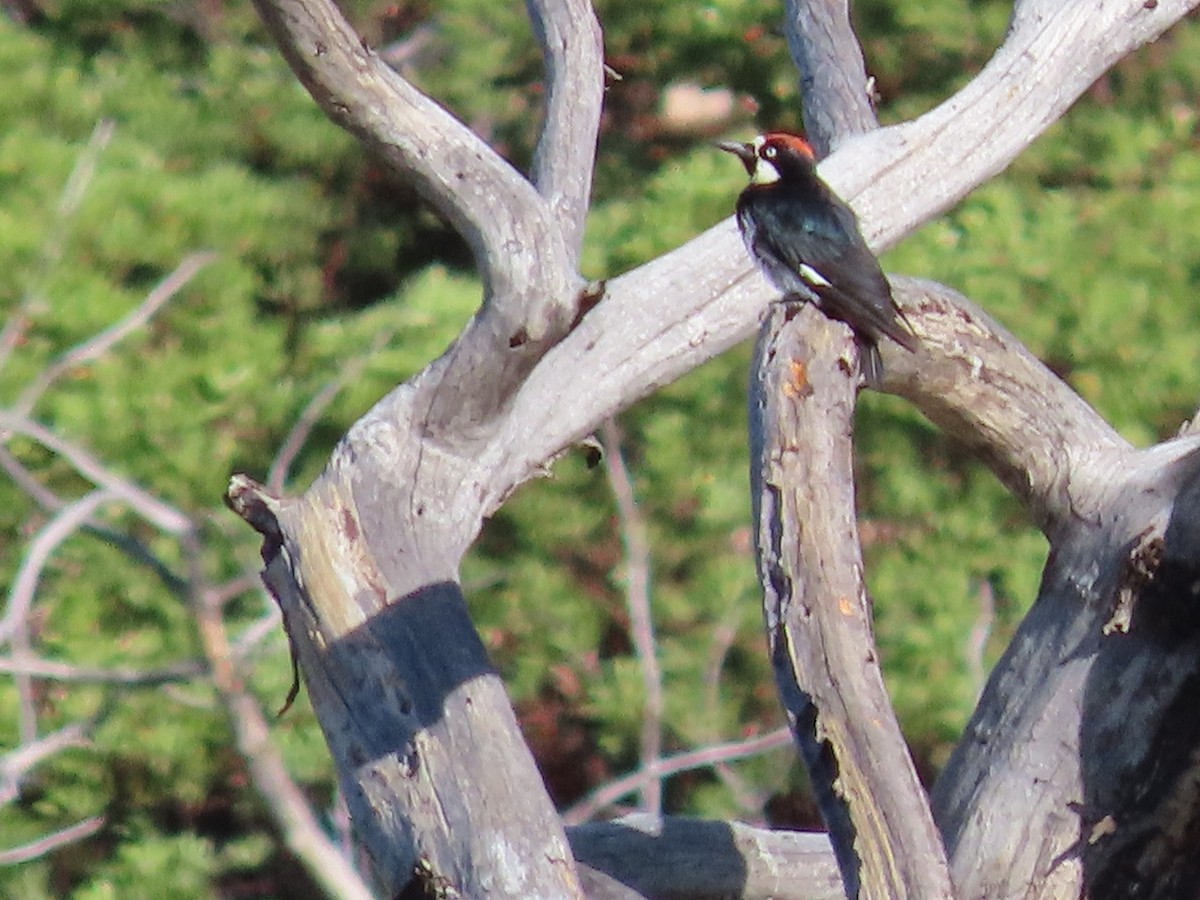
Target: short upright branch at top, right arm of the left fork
(573, 52)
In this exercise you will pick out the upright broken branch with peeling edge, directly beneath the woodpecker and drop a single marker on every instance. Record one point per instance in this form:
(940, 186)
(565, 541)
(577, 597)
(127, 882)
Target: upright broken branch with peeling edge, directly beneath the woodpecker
(819, 617)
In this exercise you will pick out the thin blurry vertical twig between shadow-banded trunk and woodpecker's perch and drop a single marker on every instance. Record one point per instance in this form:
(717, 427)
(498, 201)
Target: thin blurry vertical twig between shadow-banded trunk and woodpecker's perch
(638, 599)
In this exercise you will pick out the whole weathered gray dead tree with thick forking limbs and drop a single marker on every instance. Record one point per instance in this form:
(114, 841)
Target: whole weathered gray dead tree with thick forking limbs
(1077, 773)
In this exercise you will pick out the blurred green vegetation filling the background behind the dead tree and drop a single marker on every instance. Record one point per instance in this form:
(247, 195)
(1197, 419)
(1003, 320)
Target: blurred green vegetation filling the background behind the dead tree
(1088, 249)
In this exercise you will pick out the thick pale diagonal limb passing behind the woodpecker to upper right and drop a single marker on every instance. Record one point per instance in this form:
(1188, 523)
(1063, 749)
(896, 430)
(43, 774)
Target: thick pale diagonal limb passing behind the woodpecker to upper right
(675, 313)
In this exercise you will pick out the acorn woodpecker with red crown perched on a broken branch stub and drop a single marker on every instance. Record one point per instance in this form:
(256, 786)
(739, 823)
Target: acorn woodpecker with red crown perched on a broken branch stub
(808, 243)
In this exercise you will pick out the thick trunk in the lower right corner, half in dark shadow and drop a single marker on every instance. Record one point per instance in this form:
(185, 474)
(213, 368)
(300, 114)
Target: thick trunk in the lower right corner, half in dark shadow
(1113, 652)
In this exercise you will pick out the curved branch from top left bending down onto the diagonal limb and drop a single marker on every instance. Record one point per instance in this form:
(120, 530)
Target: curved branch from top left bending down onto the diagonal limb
(531, 284)
